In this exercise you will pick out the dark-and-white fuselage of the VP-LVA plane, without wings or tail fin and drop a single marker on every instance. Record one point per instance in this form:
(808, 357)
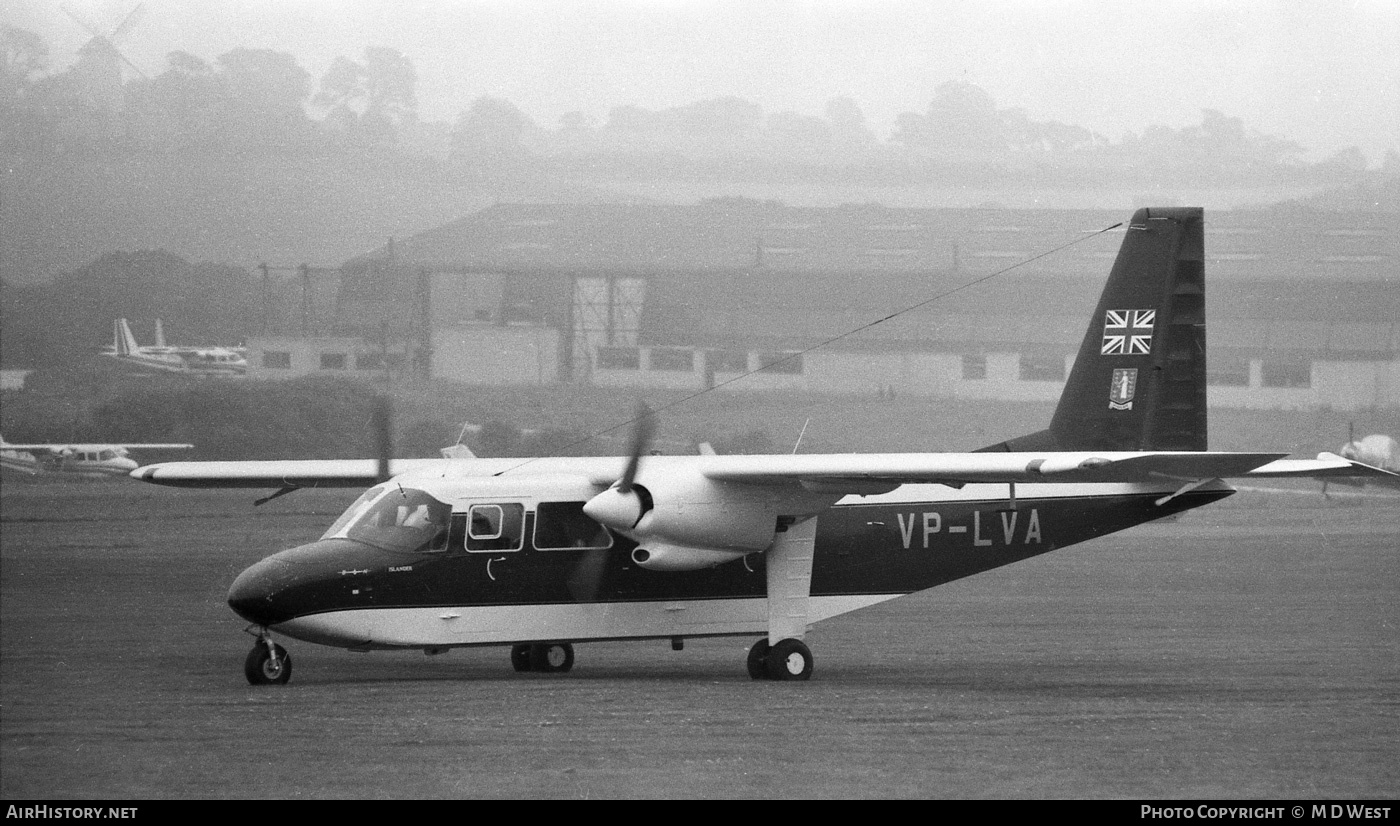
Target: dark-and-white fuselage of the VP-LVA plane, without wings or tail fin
(351, 594)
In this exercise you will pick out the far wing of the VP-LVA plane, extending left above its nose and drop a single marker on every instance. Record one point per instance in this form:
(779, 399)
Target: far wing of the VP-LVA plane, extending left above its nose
(276, 474)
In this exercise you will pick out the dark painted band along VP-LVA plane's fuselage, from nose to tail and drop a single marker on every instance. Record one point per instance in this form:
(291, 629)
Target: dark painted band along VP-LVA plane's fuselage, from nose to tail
(885, 548)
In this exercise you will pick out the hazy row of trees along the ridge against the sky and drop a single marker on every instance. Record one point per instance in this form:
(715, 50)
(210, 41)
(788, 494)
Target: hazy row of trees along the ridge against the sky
(264, 100)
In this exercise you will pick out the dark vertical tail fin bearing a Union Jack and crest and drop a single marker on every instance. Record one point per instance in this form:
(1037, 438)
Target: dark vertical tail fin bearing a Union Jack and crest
(1139, 383)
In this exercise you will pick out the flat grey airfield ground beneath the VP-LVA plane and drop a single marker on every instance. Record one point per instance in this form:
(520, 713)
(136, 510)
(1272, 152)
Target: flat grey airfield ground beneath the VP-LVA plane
(1249, 650)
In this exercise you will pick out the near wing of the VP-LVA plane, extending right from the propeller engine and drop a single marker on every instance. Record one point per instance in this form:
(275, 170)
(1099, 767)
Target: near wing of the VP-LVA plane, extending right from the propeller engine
(866, 471)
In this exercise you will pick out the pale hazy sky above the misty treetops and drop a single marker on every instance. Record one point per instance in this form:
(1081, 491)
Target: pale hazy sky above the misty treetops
(1325, 73)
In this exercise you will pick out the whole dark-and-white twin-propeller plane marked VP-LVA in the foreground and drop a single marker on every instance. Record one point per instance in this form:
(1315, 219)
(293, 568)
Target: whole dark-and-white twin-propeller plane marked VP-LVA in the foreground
(544, 554)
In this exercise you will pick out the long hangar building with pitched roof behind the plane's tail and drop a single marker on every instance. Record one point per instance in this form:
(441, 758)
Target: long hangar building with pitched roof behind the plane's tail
(1304, 306)
